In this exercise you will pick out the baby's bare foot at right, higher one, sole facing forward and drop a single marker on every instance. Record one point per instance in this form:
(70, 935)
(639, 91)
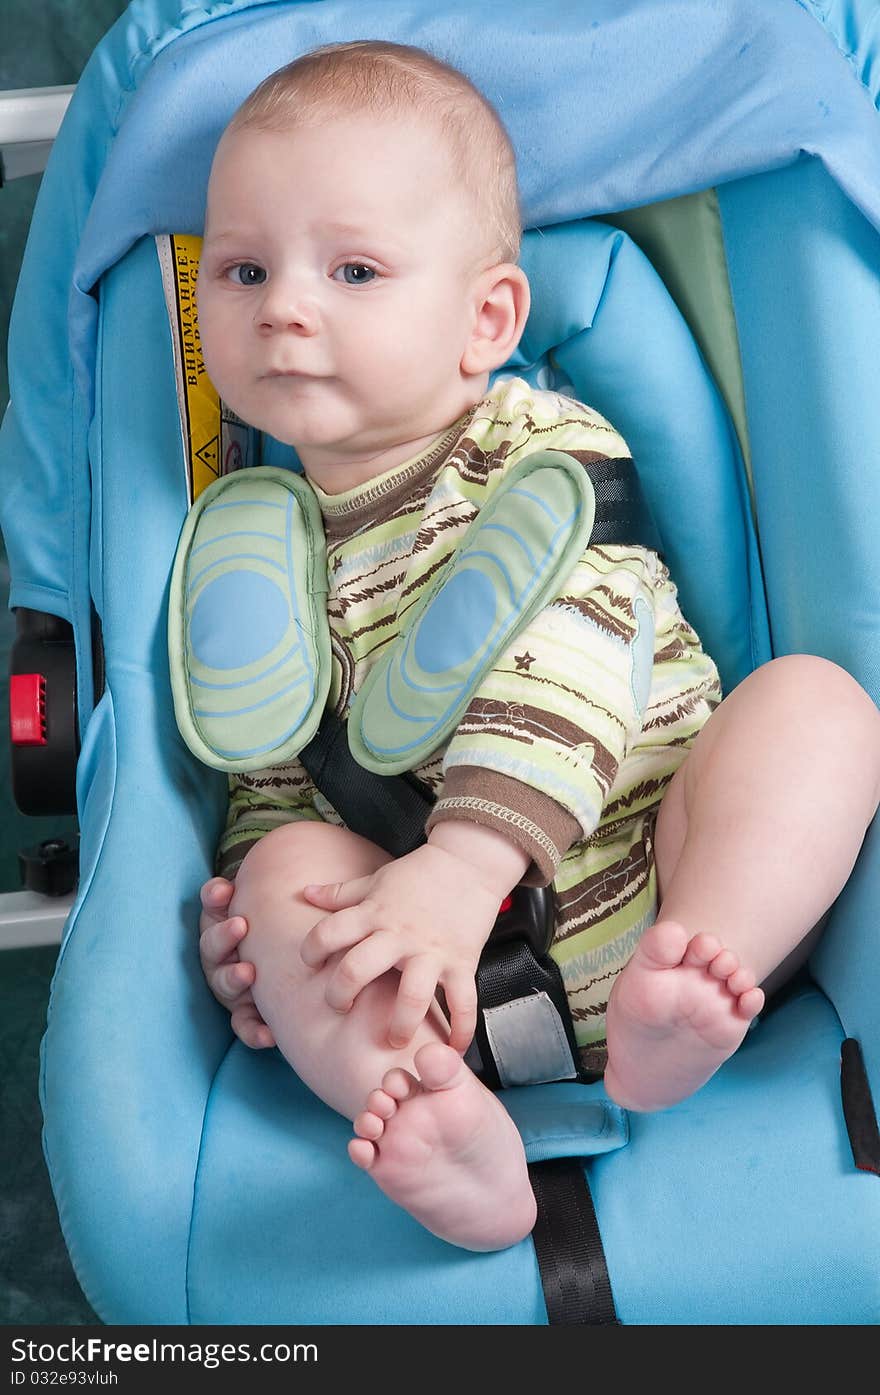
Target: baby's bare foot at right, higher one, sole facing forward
(676, 1015)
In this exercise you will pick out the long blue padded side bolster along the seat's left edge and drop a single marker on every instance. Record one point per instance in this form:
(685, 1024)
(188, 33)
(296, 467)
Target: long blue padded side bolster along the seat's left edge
(129, 1002)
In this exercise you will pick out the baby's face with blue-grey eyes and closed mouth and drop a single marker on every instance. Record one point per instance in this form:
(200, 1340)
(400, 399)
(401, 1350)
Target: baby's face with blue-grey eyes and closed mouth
(333, 292)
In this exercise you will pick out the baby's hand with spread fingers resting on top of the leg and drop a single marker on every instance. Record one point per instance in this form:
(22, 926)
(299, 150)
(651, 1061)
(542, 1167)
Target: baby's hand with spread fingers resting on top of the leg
(427, 914)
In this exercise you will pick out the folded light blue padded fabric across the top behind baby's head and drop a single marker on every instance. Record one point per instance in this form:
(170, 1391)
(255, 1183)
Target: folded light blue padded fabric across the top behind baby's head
(741, 87)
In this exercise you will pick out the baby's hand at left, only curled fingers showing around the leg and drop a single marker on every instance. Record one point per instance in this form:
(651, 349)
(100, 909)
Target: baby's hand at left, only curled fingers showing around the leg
(229, 977)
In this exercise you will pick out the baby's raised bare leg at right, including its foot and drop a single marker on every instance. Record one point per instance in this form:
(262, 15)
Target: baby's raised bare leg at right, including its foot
(757, 838)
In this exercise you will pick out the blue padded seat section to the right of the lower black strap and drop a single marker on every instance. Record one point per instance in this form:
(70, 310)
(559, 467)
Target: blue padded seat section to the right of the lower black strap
(762, 1147)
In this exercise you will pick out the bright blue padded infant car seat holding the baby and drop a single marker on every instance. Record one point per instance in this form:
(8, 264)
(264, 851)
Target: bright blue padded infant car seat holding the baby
(737, 146)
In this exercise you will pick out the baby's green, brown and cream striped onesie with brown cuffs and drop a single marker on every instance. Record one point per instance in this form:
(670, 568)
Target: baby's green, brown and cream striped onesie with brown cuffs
(572, 737)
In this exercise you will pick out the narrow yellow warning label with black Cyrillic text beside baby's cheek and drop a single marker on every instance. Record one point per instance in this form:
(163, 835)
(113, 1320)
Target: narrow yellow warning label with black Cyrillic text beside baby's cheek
(202, 405)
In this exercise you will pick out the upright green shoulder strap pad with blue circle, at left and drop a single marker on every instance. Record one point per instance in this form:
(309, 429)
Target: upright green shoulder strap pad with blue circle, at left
(249, 641)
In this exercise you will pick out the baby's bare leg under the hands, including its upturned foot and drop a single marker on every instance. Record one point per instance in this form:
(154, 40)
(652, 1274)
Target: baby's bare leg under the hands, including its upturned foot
(430, 1135)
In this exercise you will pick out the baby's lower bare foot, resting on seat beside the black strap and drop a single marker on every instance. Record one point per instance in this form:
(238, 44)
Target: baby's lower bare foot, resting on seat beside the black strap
(446, 1150)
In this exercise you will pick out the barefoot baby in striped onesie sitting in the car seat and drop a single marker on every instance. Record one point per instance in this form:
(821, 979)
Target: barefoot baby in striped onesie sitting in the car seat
(359, 287)
